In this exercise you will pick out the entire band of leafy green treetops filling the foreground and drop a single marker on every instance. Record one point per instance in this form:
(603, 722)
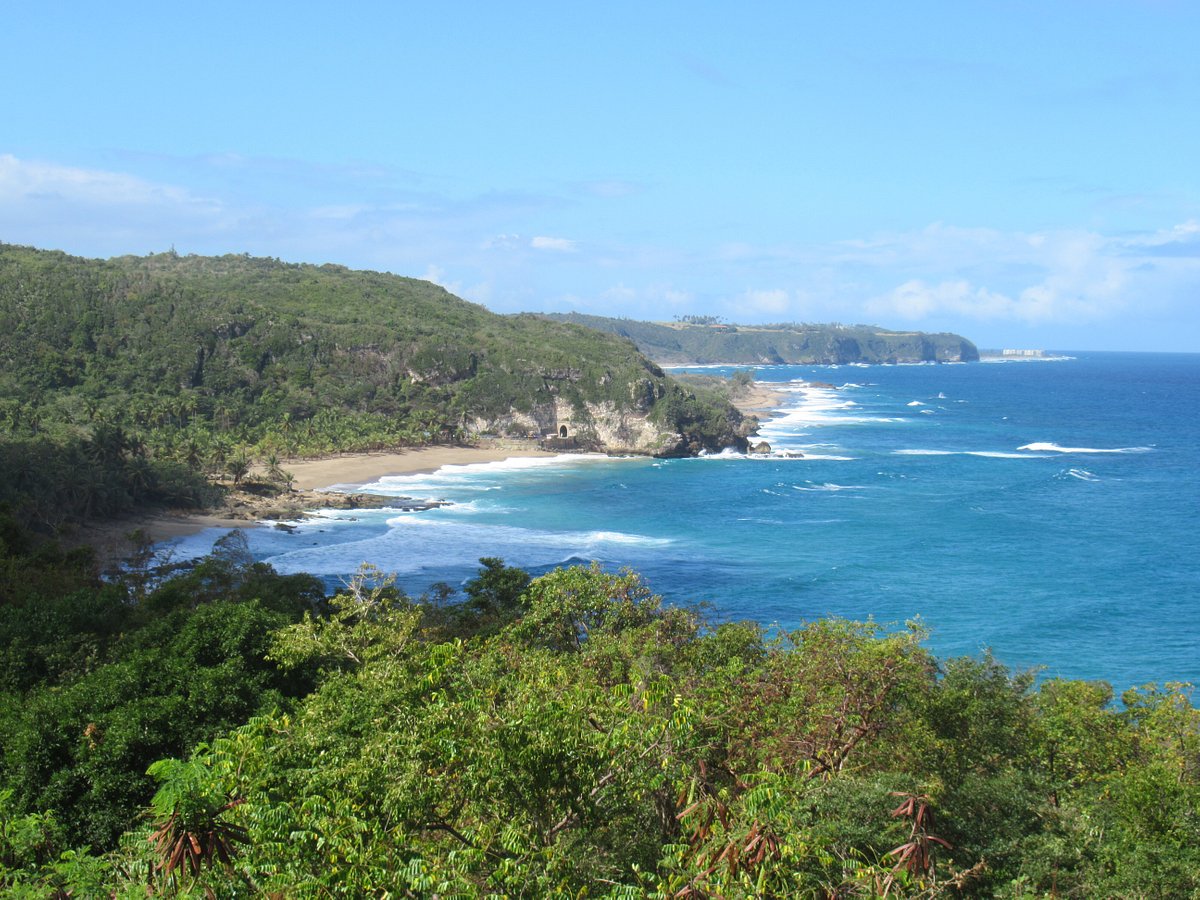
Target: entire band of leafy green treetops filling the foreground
(567, 736)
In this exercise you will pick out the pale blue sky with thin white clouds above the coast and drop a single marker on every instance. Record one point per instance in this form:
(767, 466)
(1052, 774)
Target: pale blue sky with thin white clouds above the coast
(1023, 173)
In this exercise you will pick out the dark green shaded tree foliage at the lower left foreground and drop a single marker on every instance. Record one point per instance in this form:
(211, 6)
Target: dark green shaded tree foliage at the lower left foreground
(101, 681)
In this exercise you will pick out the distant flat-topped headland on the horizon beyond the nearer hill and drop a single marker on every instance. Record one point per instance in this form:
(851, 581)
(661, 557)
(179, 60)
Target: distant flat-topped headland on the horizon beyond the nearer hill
(705, 340)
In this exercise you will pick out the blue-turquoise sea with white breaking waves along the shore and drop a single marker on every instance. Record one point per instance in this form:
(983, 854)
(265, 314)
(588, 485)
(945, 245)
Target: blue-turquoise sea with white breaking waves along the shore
(1048, 511)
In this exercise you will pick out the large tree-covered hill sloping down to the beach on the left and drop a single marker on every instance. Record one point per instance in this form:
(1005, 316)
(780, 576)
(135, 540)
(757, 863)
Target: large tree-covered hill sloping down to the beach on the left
(127, 381)
